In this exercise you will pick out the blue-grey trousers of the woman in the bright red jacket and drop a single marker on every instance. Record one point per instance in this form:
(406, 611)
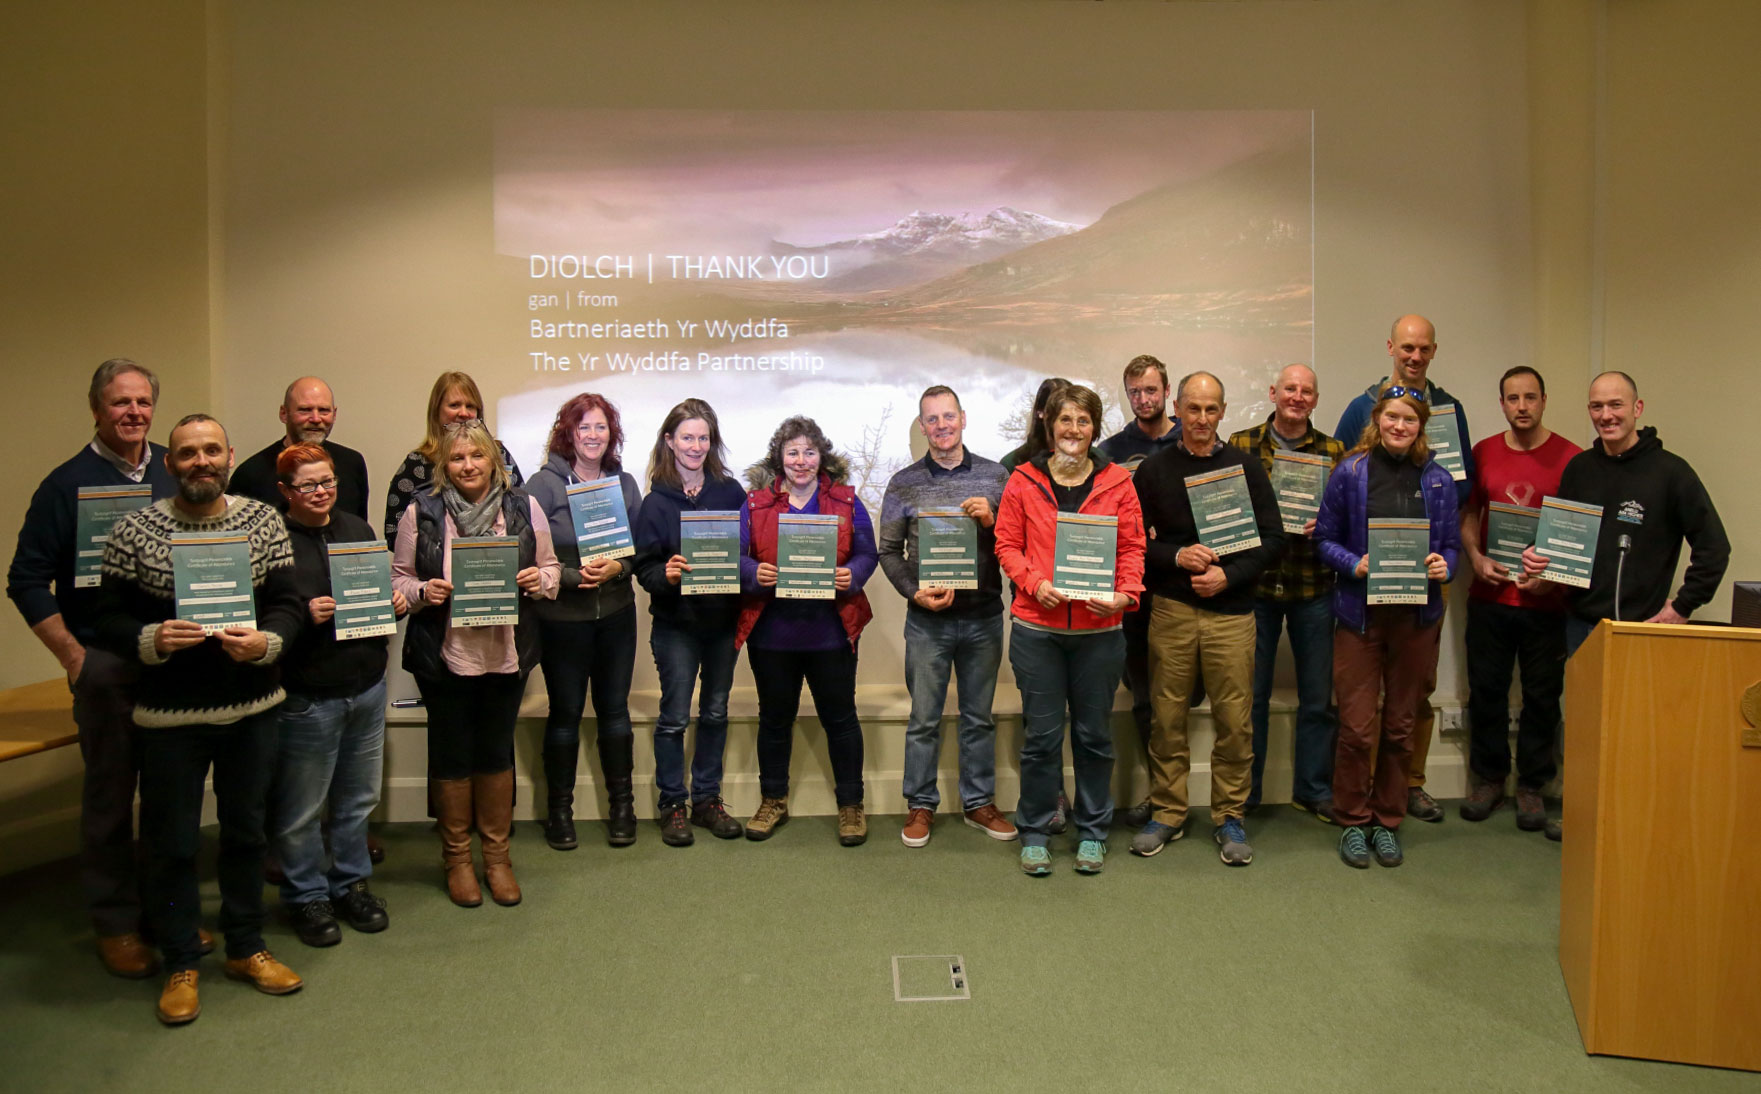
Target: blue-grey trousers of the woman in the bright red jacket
(1077, 672)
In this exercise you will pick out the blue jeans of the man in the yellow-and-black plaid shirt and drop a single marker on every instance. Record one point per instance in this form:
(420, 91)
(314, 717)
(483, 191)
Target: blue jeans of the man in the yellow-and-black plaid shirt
(1313, 646)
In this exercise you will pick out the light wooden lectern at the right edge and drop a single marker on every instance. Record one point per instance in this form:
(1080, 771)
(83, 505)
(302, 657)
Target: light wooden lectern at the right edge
(1660, 910)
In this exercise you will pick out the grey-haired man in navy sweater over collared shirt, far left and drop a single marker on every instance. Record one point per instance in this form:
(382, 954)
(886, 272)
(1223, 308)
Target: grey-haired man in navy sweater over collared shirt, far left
(61, 609)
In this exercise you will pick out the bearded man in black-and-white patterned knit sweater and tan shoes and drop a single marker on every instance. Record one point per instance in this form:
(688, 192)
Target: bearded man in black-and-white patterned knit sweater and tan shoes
(203, 700)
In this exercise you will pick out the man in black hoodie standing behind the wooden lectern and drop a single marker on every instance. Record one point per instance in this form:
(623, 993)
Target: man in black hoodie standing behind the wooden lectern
(1653, 499)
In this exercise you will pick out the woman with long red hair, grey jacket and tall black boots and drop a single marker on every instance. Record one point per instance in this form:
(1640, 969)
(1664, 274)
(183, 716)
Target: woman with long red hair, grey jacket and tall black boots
(587, 635)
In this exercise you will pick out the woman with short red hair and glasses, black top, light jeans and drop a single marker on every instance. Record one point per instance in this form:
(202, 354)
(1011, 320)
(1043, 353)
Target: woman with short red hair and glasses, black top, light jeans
(332, 727)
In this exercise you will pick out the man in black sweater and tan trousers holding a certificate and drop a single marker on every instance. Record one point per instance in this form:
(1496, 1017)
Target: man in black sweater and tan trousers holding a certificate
(1202, 617)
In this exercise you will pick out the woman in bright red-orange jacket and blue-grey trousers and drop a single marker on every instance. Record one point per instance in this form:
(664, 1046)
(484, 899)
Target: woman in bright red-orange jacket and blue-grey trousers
(1068, 651)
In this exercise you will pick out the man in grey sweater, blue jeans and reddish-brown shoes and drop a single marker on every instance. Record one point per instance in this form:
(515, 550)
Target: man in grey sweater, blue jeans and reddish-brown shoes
(948, 630)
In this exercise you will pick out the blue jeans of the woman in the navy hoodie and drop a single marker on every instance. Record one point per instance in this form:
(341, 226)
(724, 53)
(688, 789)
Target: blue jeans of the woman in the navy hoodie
(682, 658)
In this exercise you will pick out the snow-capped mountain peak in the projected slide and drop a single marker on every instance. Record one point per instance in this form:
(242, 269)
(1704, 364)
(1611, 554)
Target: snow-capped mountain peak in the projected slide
(925, 246)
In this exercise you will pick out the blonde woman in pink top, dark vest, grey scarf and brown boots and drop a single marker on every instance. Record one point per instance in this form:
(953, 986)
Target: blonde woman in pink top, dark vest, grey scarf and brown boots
(471, 677)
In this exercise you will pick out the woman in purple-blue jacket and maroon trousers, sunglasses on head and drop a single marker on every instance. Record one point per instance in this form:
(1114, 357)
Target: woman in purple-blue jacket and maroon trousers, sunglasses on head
(1387, 651)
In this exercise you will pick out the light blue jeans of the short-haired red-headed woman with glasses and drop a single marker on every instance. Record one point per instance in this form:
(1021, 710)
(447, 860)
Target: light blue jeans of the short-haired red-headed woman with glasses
(330, 750)
